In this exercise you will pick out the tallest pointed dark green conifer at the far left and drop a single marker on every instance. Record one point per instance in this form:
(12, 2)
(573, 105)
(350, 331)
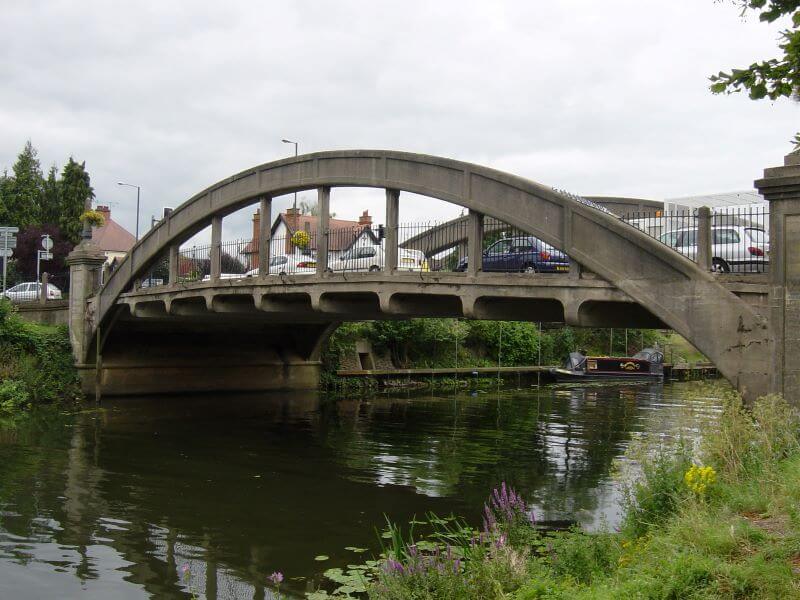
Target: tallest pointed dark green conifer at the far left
(22, 202)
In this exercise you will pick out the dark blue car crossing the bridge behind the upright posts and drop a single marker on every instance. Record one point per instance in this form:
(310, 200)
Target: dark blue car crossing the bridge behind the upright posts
(527, 254)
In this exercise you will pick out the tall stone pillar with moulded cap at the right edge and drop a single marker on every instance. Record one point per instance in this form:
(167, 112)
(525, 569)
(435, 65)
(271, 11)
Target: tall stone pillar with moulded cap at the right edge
(781, 187)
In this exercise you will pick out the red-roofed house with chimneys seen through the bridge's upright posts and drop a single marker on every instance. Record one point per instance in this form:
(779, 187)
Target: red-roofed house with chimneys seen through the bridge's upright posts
(343, 234)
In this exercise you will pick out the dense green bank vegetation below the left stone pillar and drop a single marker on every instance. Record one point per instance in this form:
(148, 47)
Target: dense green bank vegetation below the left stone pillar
(36, 365)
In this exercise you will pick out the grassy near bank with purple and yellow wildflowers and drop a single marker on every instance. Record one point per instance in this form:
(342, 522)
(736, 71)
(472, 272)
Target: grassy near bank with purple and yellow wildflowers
(713, 519)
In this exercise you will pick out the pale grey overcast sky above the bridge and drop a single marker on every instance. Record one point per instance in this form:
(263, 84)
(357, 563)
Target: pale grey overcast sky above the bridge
(599, 98)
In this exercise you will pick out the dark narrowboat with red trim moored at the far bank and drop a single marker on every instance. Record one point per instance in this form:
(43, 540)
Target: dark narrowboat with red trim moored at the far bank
(647, 365)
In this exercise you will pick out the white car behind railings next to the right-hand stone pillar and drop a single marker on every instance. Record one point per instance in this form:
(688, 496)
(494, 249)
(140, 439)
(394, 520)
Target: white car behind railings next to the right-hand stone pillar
(733, 247)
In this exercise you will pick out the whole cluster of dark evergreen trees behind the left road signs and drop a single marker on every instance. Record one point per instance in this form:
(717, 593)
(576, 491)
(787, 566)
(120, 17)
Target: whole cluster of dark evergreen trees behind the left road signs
(39, 205)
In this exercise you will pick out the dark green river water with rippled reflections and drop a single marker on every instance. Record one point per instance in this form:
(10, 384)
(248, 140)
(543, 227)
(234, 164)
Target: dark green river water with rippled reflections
(114, 502)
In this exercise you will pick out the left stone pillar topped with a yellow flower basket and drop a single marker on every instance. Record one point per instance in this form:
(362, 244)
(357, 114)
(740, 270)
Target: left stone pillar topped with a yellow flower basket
(84, 262)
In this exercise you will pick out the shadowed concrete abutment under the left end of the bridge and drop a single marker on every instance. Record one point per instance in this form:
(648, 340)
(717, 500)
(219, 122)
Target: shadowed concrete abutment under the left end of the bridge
(142, 356)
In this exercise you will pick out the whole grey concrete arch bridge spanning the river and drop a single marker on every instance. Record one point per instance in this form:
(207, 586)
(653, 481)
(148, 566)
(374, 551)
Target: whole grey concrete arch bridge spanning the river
(266, 332)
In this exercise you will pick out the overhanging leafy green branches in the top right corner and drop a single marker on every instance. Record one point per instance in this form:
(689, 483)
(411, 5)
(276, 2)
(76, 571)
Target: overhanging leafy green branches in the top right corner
(774, 78)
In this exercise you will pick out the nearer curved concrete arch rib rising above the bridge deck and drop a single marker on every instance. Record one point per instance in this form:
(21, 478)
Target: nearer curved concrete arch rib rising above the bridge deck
(657, 279)
